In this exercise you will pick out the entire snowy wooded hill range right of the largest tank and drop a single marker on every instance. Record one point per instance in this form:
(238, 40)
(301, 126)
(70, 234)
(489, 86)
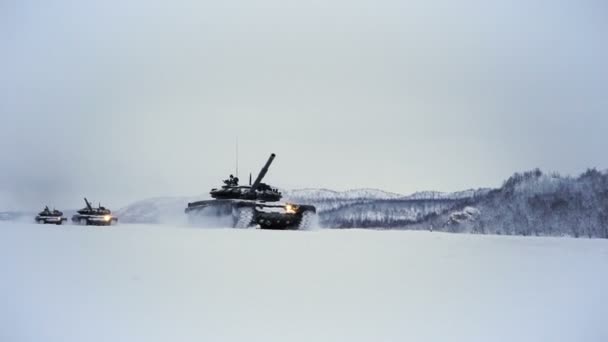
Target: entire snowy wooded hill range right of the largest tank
(529, 203)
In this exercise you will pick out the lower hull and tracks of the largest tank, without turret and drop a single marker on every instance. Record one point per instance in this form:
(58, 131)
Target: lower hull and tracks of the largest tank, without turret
(245, 214)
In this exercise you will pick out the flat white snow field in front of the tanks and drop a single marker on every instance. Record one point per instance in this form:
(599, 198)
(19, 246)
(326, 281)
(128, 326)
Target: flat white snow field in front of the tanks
(161, 283)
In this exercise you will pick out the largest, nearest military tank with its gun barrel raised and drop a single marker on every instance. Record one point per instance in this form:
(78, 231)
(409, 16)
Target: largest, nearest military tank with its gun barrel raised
(257, 204)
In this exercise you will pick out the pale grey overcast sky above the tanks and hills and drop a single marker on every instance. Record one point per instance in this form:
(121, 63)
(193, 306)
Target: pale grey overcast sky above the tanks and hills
(122, 100)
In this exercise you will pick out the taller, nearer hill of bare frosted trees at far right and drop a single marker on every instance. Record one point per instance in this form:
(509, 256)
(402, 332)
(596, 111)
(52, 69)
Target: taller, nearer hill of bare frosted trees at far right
(533, 203)
